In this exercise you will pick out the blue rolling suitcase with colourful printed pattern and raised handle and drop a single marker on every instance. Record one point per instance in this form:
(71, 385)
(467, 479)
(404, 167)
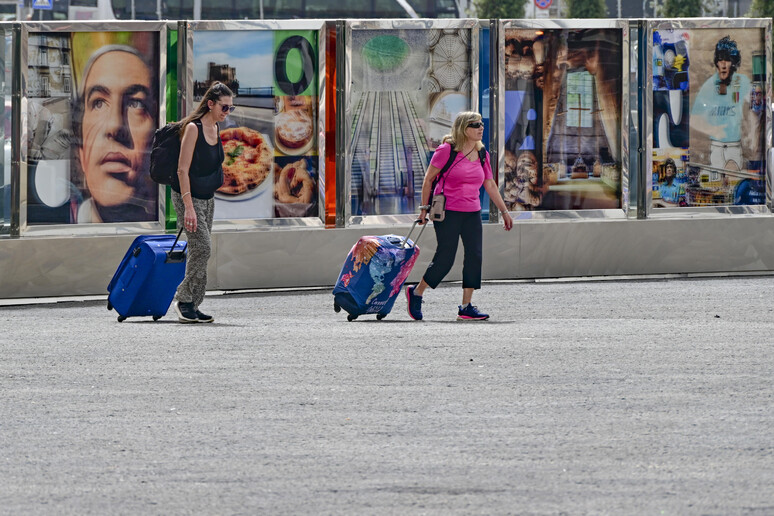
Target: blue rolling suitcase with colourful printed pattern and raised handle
(374, 273)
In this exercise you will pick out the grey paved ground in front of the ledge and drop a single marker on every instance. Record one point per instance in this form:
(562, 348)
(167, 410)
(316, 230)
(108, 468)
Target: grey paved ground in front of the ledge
(629, 397)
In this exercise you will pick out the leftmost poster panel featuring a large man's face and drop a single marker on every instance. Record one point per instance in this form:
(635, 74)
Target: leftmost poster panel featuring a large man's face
(92, 110)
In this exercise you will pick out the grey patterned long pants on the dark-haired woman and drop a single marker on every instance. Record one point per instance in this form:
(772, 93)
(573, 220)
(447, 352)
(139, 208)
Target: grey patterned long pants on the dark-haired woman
(194, 285)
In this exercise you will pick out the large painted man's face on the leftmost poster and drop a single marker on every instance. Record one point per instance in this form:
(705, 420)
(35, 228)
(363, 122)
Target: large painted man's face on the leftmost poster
(117, 127)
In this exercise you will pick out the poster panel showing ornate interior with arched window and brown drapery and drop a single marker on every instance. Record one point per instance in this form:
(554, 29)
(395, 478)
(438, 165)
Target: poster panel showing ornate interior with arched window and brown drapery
(562, 105)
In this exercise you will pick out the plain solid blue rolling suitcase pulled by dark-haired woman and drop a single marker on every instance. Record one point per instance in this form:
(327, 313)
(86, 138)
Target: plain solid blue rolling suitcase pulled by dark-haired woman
(148, 276)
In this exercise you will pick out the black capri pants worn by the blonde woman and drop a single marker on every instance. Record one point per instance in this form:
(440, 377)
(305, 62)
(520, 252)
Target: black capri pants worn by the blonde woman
(465, 224)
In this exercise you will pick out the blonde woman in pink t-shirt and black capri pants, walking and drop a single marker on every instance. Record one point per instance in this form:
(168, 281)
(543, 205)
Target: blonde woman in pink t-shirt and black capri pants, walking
(460, 183)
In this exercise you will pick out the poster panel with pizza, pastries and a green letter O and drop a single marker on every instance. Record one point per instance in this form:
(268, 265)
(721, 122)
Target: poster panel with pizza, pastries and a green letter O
(270, 141)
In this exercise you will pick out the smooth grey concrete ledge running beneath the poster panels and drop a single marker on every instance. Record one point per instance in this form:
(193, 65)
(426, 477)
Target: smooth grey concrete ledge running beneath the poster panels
(67, 266)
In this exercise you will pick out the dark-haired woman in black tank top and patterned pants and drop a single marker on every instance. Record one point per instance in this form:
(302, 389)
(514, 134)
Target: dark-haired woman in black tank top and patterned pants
(199, 174)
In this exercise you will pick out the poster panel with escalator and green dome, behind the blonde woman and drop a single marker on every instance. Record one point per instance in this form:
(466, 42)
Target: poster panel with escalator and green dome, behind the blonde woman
(406, 87)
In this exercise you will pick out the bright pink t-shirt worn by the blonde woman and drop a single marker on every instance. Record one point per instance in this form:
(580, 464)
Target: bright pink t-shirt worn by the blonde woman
(462, 182)
